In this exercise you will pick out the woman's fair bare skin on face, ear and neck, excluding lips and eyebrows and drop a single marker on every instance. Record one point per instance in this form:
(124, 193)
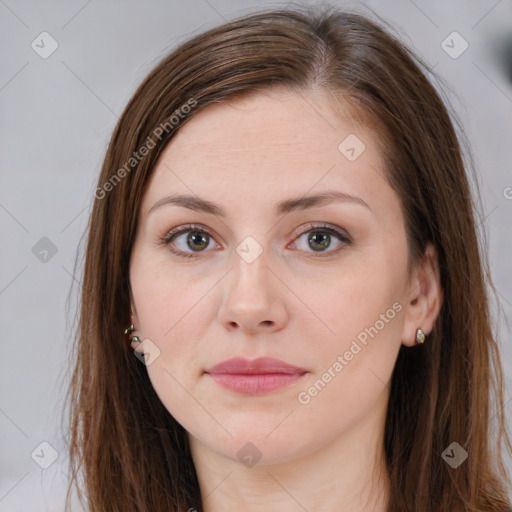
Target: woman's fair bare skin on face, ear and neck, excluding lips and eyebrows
(293, 302)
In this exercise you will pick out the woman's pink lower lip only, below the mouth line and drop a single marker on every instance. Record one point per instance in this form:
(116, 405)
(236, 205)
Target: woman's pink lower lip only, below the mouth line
(255, 384)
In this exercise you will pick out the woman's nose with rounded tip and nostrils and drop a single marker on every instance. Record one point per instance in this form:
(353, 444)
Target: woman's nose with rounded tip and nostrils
(253, 298)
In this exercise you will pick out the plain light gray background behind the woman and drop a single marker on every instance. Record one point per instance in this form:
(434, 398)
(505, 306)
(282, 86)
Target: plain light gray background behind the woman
(57, 115)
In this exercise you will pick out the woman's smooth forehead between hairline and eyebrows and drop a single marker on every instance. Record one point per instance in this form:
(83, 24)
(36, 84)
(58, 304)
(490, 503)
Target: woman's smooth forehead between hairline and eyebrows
(269, 145)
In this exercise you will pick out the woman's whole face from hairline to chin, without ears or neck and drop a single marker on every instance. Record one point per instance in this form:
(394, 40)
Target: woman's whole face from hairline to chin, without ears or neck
(249, 267)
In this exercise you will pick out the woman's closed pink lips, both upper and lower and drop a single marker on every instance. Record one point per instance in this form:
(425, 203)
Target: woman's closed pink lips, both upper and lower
(255, 376)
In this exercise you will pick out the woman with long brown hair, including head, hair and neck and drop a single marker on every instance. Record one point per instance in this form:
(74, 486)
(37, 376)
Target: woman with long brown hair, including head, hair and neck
(349, 369)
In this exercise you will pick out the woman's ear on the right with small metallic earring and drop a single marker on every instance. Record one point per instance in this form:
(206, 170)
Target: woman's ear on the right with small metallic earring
(425, 297)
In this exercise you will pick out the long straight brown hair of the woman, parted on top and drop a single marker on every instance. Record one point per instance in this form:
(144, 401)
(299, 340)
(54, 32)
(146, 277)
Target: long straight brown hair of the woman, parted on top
(129, 451)
